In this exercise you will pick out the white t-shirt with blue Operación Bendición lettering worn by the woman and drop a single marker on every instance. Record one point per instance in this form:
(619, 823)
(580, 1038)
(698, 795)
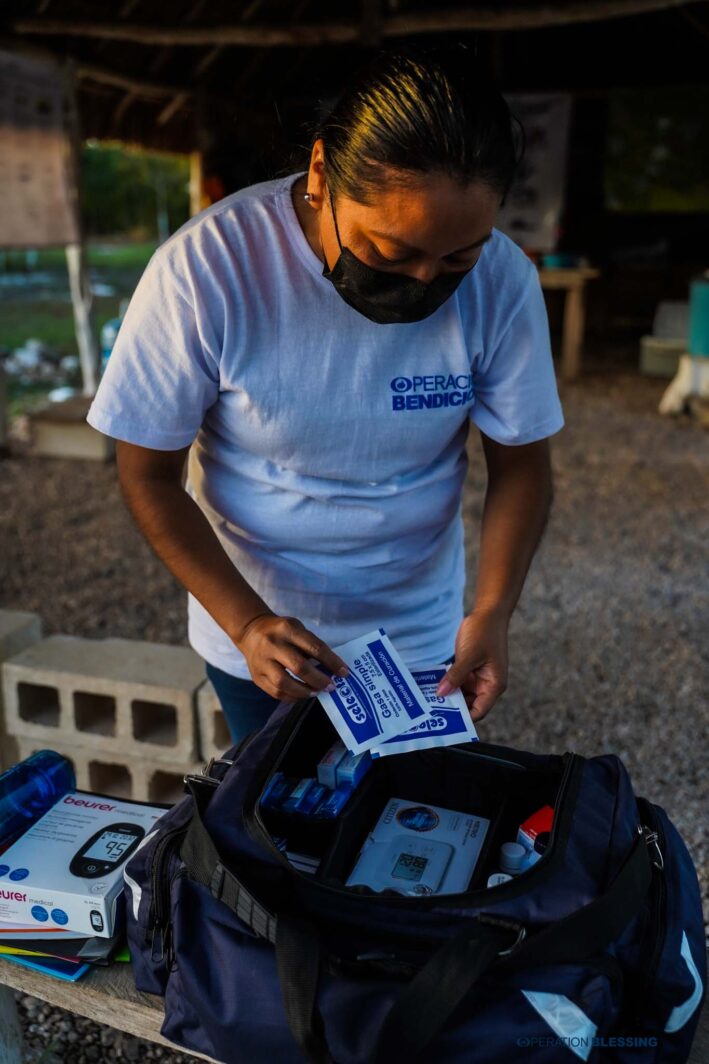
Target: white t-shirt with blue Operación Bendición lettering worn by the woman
(329, 451)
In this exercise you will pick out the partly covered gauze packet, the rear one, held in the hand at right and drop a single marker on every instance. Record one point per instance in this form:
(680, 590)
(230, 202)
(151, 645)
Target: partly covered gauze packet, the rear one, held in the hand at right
(450, 721)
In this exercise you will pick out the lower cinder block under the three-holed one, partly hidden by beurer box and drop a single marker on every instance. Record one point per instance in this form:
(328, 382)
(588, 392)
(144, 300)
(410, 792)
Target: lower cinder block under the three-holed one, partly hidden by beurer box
(121, 778)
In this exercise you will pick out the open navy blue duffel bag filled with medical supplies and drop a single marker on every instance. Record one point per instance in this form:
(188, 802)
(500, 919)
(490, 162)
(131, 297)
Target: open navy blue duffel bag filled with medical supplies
(596, 953)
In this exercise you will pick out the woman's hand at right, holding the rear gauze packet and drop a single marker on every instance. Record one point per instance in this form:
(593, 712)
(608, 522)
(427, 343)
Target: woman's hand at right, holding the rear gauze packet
(482, 661)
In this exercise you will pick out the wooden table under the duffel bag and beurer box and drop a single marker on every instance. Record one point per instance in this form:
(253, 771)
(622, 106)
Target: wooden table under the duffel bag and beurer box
(109, 996)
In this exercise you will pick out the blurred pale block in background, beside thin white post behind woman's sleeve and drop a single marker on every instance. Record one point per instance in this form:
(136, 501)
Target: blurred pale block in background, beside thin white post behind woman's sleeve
(61, 430)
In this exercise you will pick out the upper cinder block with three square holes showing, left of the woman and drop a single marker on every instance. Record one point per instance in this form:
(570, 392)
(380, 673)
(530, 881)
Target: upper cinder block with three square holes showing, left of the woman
(116, 697)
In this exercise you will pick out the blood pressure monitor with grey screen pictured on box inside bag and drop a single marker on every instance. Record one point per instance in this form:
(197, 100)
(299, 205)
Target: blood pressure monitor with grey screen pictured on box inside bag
(408, 866)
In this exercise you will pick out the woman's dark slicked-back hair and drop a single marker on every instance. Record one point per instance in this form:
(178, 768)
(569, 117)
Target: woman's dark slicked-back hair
(419, 110)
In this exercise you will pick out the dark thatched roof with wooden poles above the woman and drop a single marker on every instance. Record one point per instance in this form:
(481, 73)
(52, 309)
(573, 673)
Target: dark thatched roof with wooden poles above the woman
(183, 75)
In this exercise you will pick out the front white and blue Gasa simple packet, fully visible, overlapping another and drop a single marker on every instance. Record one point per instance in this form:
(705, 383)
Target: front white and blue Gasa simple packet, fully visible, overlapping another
(378, 700)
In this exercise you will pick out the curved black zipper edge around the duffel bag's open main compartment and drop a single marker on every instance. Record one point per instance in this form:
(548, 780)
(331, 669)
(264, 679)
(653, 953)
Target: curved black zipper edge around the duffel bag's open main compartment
(562, 822)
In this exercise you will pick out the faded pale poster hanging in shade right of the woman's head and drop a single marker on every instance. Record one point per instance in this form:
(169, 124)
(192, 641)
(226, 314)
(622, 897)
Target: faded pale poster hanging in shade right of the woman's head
(533, 211)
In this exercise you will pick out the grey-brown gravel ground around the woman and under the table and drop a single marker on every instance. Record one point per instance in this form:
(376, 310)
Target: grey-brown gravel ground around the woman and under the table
(609, 650)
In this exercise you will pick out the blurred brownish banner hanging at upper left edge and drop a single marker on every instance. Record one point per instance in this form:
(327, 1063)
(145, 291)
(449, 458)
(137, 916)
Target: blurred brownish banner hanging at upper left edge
(38, 198)
